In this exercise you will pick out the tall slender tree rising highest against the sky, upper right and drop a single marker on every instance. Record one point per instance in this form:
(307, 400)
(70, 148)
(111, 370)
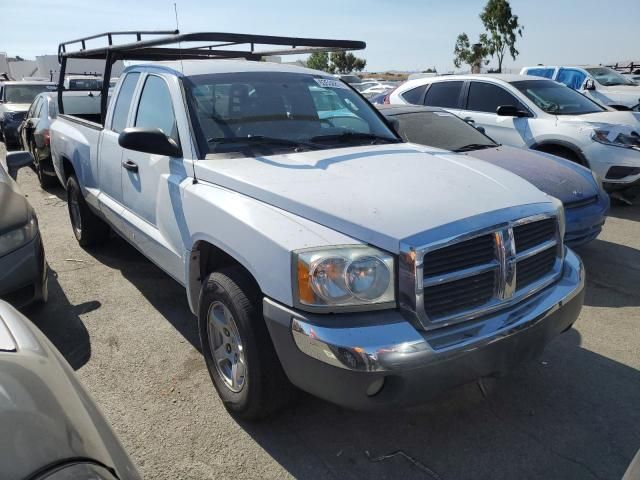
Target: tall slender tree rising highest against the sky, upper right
(503, 28)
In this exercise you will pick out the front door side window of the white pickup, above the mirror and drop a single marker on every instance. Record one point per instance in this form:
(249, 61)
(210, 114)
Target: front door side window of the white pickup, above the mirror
(155, 109)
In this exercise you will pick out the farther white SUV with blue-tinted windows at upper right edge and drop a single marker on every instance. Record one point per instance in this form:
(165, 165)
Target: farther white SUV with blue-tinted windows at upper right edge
(602, 84)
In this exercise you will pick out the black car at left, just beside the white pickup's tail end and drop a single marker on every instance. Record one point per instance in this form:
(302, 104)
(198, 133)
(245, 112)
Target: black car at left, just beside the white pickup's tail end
(34, 136)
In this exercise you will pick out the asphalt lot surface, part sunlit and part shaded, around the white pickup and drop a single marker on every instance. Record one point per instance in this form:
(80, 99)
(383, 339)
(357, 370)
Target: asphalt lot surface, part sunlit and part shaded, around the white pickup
(125, 327)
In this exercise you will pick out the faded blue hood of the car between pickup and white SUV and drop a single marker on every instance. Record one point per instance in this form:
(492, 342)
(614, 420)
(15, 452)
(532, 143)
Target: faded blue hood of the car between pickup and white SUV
(555, 176)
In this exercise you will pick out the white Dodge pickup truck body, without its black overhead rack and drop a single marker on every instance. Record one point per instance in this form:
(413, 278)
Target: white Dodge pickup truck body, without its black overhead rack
(315, 247)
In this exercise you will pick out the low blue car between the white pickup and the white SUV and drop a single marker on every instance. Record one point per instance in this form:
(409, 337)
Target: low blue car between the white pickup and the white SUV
(586, 203)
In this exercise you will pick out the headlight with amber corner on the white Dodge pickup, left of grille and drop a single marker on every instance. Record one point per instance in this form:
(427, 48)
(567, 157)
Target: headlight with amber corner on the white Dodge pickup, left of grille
(343, 277)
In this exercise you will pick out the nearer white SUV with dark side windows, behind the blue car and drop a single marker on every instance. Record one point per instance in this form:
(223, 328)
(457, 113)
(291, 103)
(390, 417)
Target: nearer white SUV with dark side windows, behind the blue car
(541, 114)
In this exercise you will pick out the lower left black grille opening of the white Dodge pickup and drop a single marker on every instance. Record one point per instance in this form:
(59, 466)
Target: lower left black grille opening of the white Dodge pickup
(459, 295)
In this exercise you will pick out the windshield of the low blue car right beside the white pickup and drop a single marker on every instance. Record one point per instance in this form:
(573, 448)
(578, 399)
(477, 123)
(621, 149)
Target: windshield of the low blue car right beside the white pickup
(441, 130)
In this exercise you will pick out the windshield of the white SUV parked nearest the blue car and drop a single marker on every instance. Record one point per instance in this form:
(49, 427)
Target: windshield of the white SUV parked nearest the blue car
(557, 99)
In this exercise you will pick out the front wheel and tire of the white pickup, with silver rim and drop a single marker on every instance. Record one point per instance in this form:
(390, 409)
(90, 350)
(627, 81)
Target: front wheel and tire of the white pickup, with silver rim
(259, 387)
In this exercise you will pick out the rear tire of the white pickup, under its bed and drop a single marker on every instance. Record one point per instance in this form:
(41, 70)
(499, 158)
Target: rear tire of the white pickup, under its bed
(88, 228)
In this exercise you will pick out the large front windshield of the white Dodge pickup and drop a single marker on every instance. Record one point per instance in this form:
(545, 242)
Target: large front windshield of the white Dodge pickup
(247, 110)
